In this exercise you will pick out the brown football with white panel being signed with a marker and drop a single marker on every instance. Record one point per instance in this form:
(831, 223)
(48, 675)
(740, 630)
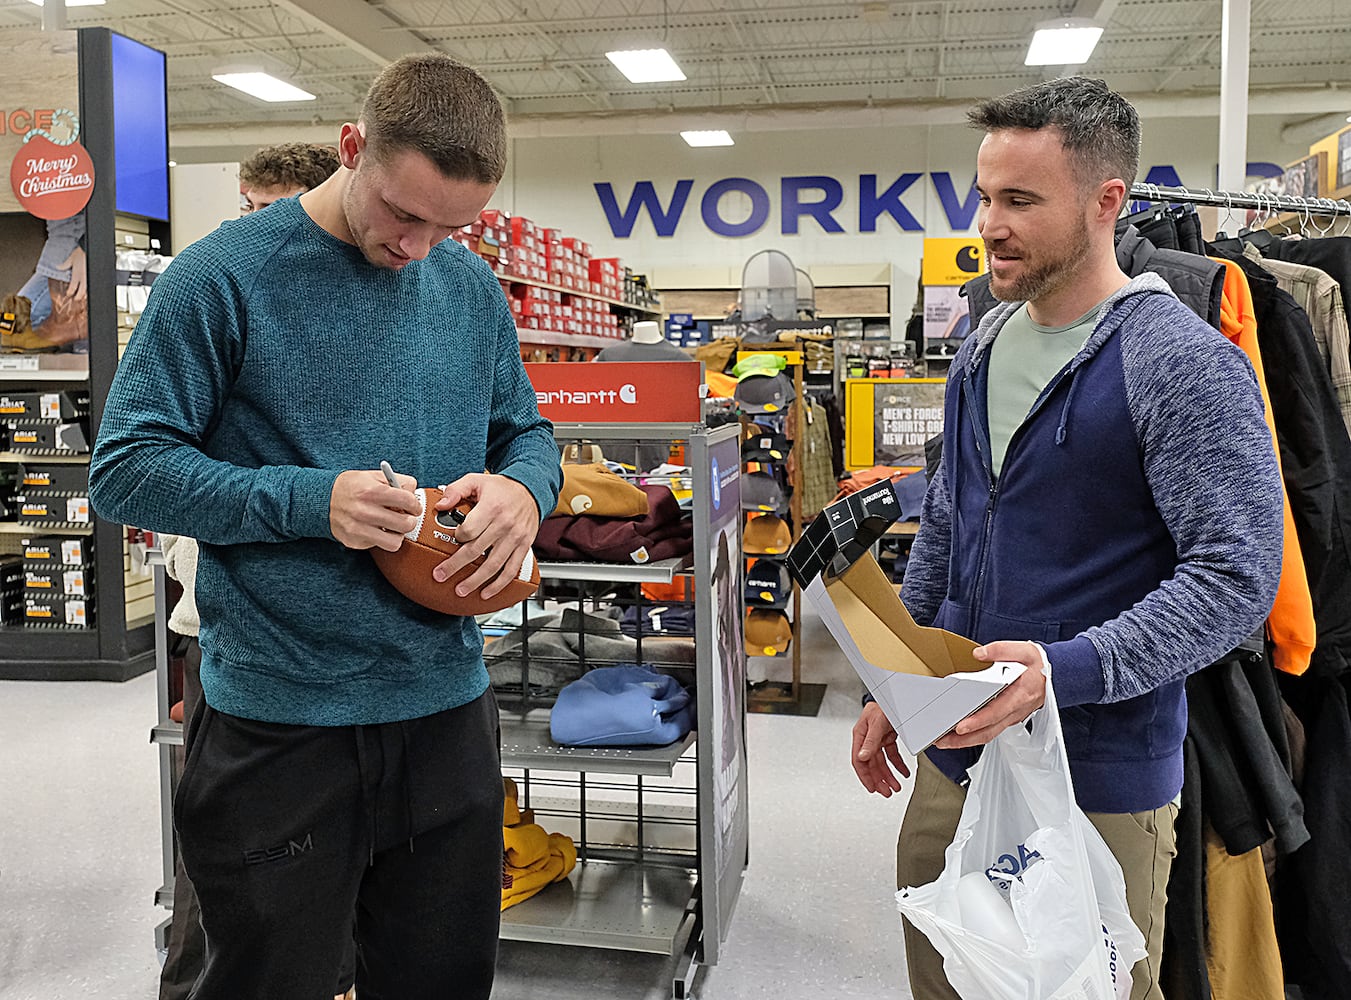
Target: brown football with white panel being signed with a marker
(432, 543)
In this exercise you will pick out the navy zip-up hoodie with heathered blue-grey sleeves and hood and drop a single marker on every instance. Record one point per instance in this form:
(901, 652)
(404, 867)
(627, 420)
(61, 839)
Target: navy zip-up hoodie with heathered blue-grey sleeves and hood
(1134, 532)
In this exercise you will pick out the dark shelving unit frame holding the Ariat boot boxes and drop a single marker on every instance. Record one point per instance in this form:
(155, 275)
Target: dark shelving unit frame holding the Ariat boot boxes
(120, 643)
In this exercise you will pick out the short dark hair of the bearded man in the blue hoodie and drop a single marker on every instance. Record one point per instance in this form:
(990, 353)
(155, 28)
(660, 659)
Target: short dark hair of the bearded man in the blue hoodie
(1099, 128)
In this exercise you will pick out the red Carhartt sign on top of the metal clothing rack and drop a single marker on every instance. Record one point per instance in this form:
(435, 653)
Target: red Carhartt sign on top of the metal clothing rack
(619, 393)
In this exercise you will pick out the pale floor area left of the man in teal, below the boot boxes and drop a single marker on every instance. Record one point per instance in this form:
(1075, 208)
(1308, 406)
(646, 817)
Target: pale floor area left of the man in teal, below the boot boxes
(79, 841)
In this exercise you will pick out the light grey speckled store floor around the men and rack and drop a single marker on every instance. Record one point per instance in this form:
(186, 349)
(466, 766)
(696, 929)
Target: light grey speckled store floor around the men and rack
(80, 860)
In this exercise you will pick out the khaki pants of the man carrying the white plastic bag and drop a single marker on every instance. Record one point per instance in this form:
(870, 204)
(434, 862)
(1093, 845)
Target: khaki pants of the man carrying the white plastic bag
(1142, 844)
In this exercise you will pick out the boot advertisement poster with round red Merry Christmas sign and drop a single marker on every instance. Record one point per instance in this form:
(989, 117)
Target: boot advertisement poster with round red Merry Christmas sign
(44, 301)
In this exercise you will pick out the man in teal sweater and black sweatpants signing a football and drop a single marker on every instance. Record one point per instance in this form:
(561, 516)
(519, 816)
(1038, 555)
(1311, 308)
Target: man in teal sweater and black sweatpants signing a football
(344, 770)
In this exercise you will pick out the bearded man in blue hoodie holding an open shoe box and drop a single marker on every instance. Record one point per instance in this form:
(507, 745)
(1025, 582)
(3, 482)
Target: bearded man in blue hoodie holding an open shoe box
(1108, 503)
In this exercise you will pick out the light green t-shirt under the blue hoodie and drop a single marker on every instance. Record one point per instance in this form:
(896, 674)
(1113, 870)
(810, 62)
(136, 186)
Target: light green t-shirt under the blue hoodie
(1025, 359)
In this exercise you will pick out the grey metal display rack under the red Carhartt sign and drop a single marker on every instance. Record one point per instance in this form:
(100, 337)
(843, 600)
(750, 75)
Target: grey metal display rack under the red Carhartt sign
(661, 832)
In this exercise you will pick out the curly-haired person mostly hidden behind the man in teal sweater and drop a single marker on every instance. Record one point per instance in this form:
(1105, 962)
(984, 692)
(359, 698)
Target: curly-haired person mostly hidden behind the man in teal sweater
(292, 168)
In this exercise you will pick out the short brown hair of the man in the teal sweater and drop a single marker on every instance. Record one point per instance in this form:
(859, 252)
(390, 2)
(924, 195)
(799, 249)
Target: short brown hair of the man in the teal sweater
(442, 109)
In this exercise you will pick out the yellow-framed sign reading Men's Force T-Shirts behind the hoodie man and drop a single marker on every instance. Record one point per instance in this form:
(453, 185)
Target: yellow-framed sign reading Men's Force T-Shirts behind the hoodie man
(890, 421)
